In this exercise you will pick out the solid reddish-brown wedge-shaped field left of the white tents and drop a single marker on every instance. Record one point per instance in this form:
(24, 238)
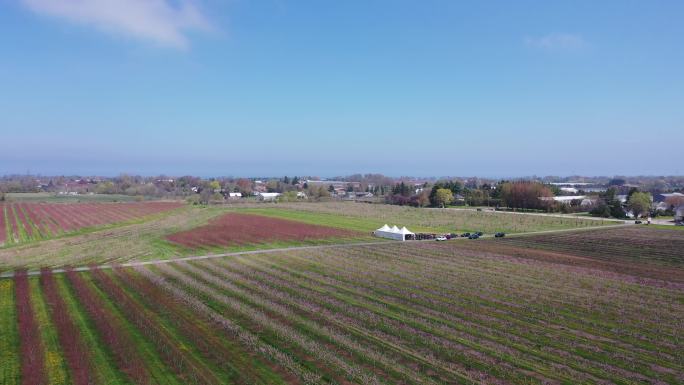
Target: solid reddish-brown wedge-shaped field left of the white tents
(239, 229)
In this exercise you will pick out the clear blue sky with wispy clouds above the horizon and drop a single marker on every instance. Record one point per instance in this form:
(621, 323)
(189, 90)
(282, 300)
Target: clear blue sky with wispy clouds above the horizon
(267, 87)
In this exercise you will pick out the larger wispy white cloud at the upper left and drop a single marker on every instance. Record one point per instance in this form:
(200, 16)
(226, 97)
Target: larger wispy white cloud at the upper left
(153, 20)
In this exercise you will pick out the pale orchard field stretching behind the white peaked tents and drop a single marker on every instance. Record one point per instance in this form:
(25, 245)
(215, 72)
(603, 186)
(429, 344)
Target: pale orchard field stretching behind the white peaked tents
(368, 217)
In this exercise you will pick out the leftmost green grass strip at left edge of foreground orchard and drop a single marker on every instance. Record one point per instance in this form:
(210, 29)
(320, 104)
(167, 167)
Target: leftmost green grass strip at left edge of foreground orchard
(9, 343)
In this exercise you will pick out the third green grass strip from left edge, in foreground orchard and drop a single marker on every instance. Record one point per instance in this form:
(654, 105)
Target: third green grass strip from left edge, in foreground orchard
(103, 365)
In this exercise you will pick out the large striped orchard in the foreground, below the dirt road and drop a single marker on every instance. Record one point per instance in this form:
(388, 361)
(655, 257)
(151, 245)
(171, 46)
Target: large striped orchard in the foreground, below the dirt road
(392, 313)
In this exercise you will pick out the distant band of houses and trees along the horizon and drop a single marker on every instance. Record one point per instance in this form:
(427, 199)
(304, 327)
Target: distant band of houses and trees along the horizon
(609, 197)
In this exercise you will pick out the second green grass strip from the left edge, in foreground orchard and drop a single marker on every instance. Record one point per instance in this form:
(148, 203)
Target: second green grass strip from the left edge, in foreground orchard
(54, 361)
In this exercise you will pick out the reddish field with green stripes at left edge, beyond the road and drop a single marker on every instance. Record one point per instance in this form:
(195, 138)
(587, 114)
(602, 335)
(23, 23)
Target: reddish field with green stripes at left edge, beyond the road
(30, 221)
